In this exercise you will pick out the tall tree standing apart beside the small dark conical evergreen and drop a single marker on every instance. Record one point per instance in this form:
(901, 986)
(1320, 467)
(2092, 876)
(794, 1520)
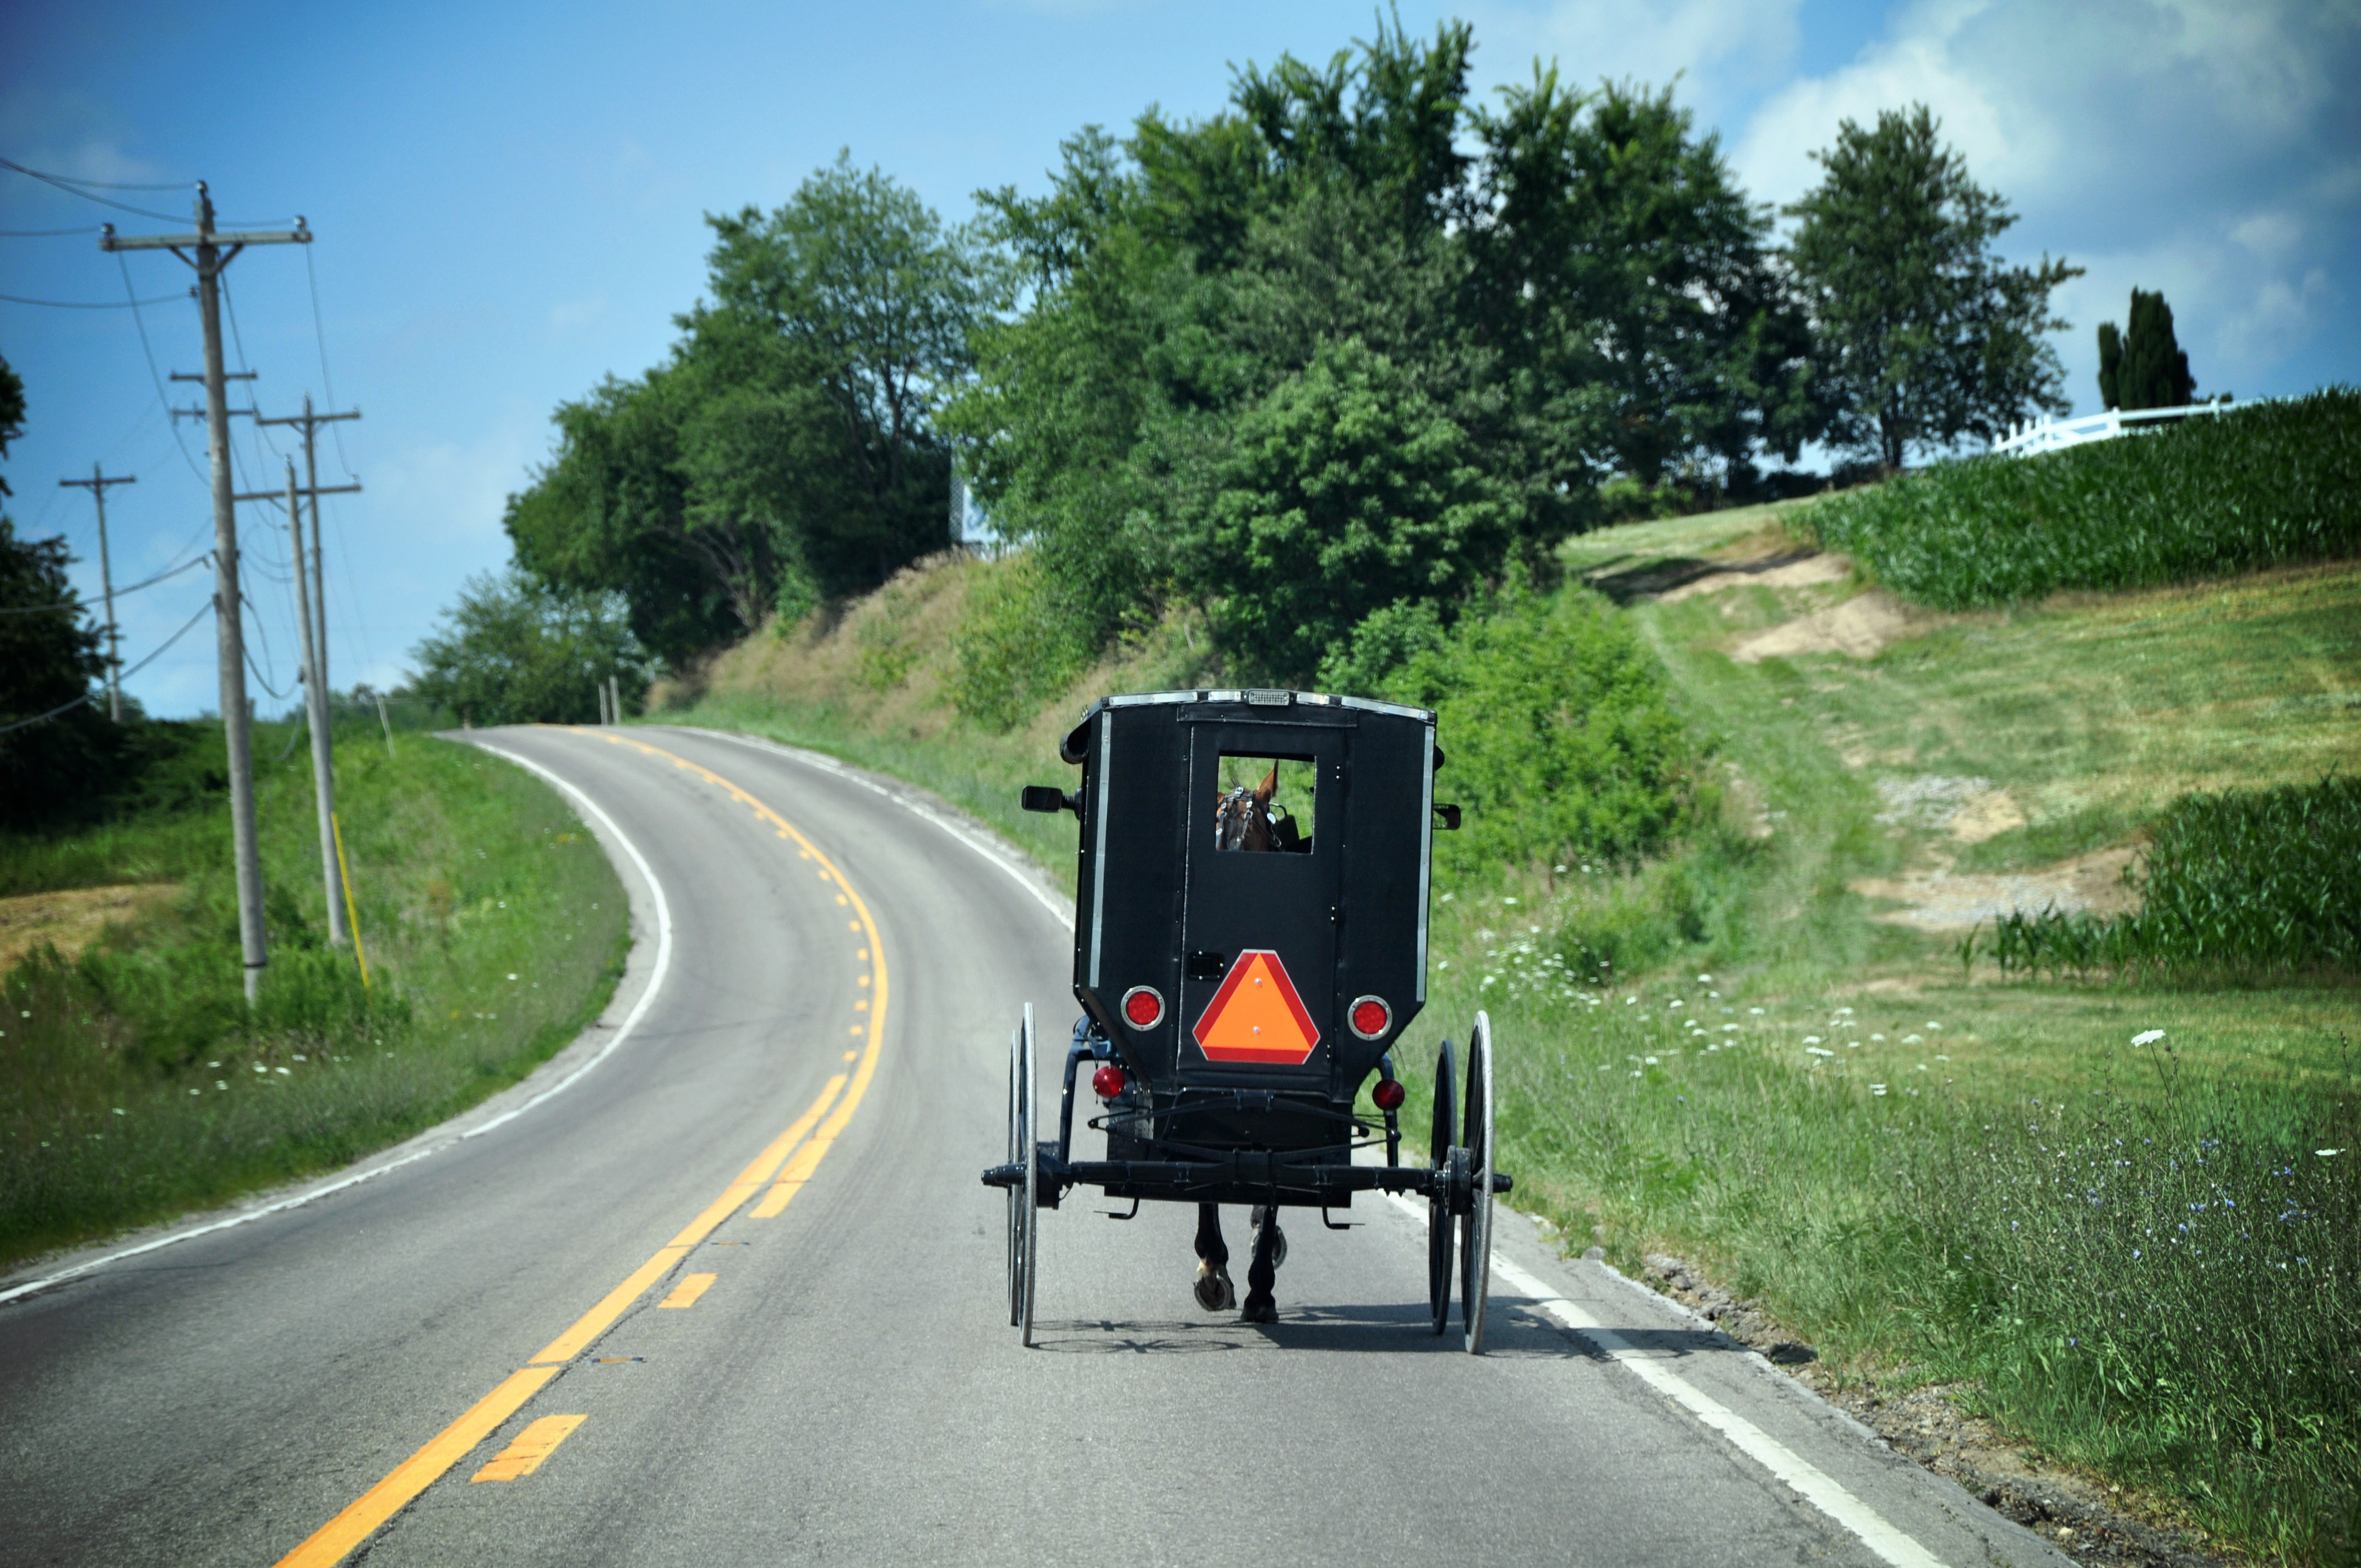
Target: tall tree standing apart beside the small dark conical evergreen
(1923, 332)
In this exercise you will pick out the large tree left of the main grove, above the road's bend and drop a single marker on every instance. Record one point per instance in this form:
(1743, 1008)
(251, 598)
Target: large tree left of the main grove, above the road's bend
(785, 452)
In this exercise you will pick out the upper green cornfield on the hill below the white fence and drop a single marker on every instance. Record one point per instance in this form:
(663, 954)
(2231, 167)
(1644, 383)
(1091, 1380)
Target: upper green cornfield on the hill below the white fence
(2213, 495)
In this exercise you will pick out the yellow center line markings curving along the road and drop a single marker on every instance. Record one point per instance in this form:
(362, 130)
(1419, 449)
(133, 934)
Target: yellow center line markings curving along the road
(837, 1102)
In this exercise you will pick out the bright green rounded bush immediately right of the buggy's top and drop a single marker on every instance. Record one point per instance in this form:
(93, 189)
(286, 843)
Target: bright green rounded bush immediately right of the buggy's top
(1559, 733)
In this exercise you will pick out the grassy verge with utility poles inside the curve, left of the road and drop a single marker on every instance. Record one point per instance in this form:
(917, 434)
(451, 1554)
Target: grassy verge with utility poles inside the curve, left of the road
(133, 1083)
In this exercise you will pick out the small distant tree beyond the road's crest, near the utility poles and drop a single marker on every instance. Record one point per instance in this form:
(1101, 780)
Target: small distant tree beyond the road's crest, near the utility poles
(518, 651)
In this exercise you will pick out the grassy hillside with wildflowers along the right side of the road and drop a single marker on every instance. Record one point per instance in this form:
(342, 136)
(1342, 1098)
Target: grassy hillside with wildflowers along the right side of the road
(1930, 1175)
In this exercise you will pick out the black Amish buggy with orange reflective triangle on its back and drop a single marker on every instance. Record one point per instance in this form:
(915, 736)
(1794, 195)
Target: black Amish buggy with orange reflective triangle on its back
(1250, 948)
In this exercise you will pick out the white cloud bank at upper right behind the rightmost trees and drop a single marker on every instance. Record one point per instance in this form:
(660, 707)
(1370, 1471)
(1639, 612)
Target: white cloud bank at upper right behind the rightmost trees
(2199, 148)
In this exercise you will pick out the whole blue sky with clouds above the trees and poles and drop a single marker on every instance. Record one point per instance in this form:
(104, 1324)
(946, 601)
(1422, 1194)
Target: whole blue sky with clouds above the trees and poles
(509, 207)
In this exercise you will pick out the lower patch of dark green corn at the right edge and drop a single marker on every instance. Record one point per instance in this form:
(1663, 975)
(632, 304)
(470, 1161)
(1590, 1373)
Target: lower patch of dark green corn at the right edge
(2237, 884)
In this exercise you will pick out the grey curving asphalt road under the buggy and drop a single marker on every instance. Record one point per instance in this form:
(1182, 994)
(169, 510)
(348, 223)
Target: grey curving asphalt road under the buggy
(823, 993)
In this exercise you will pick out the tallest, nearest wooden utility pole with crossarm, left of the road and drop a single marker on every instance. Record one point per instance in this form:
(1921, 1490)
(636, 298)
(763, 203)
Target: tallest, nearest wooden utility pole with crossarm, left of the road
(214, 251)
